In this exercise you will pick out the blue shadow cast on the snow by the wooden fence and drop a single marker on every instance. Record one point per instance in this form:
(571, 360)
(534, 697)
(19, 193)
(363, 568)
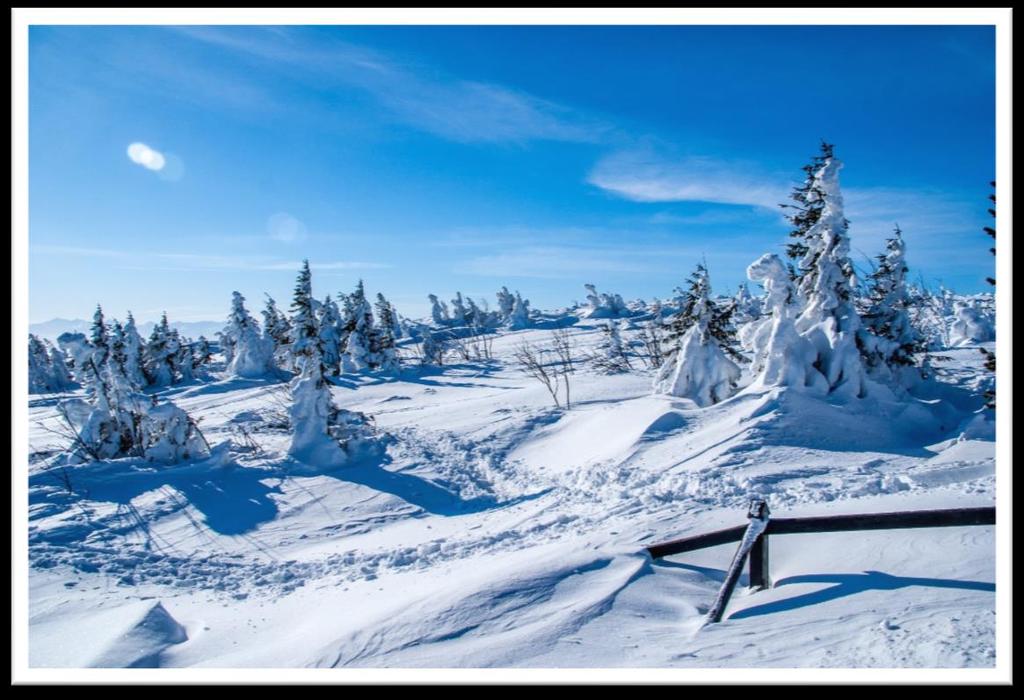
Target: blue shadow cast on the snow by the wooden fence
(849, 585)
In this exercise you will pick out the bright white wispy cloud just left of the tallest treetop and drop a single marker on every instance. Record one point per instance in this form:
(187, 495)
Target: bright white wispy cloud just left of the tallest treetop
(646, 177)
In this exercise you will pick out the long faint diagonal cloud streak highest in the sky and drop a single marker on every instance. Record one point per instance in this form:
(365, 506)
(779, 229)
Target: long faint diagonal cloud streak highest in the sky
(420, 97)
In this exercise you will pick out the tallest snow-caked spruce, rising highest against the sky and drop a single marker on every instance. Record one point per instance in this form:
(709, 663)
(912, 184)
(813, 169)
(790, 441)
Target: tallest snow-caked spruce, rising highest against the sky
(826, 282)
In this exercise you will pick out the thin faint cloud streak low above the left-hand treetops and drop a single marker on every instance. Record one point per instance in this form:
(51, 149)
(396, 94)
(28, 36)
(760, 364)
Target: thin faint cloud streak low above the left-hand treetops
(200, 262)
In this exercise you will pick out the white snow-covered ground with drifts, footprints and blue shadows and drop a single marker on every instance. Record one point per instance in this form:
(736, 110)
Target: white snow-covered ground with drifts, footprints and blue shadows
(500, 532)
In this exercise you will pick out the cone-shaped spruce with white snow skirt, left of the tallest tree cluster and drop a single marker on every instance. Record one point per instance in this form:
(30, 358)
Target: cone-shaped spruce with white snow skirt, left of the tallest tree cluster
(703, 355)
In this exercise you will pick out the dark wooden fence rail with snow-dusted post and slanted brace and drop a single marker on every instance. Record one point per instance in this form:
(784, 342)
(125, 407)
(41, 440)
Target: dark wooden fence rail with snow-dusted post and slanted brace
(758, 553)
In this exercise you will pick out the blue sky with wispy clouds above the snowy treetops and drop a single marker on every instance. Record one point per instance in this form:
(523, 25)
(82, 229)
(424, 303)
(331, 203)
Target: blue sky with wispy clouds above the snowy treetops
(443, 159)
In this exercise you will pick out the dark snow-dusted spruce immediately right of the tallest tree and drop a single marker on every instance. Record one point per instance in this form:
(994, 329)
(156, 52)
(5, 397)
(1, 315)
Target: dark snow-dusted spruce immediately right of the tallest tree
(890, 345)
